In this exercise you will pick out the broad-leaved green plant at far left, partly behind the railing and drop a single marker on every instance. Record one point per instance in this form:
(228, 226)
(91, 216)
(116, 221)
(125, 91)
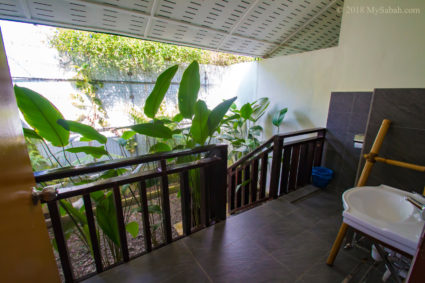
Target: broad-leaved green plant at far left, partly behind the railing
(50, 127)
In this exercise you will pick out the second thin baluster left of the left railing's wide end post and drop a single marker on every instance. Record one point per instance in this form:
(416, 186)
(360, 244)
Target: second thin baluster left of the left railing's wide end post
(165, 200)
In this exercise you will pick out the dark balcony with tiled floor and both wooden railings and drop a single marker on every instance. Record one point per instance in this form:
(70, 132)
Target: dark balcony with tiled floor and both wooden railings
(270, 207)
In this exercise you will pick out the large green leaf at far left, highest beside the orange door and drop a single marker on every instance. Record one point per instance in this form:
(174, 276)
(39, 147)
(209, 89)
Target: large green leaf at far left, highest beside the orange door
(40, 114)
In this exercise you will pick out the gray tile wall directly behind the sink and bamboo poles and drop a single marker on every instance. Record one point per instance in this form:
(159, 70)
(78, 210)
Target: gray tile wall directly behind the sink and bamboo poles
(405, 140)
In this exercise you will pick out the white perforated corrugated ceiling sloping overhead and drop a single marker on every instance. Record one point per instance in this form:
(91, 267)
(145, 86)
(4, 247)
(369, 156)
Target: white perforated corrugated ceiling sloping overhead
(260, 28)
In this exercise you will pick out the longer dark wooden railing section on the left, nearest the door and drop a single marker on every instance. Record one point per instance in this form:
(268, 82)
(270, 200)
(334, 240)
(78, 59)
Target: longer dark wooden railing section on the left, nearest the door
(212, 167)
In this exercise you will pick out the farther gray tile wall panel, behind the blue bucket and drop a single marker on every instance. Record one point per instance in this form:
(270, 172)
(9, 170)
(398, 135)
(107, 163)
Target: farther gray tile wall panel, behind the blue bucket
(348, 114)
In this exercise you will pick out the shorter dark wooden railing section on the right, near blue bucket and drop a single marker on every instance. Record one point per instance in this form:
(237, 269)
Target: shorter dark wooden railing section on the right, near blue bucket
(291, 166)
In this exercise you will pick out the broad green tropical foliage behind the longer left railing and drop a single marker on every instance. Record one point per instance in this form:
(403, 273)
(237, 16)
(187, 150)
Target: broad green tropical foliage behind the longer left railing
(50, 127)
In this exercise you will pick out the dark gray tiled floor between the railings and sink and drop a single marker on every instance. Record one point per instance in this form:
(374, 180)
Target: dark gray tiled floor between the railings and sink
(278, 241)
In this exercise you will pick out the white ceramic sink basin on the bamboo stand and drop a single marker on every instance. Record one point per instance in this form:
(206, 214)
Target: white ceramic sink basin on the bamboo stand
(383, 213)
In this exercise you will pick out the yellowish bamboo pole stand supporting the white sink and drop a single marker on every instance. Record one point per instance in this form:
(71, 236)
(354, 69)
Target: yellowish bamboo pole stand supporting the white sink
(371, 158)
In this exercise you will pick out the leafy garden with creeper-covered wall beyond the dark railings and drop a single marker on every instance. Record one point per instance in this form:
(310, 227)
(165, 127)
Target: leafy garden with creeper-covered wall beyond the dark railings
(55, 142)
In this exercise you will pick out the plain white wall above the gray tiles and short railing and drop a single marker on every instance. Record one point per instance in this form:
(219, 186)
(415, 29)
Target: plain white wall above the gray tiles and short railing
(375, 51)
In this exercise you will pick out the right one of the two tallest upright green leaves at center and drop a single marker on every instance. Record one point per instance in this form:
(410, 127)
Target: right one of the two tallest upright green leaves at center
(188, 90)
